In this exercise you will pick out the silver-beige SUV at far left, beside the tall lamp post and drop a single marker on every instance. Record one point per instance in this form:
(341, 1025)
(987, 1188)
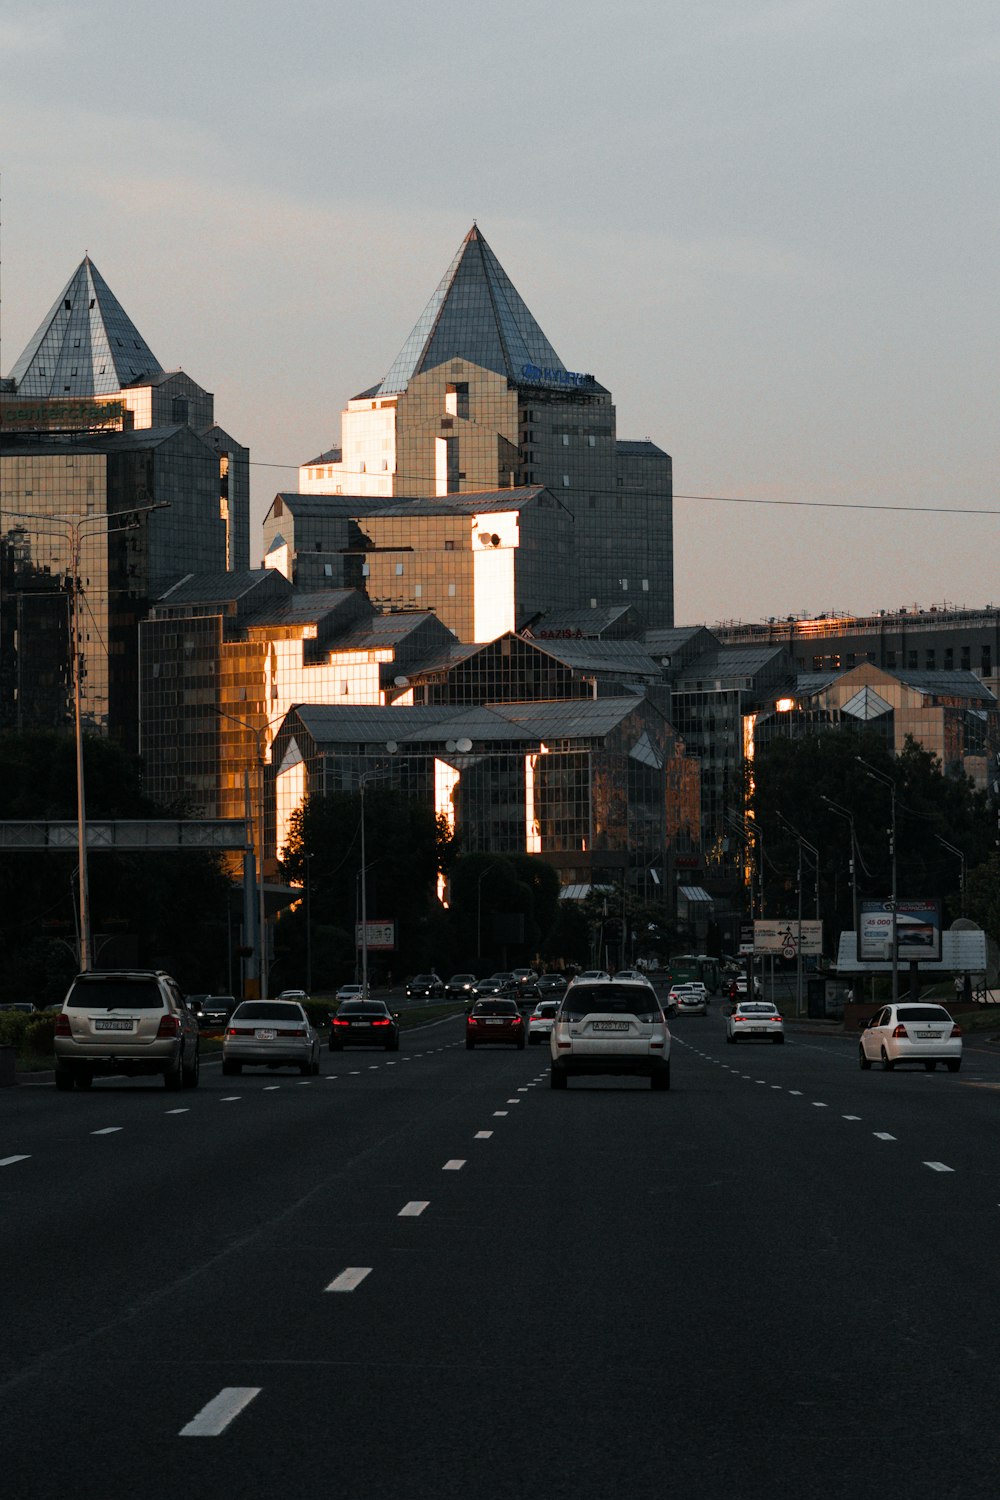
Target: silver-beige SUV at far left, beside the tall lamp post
(127, 1021)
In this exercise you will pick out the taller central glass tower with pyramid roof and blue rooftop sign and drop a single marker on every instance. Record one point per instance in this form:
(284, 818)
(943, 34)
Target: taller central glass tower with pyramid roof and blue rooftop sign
(479, 401)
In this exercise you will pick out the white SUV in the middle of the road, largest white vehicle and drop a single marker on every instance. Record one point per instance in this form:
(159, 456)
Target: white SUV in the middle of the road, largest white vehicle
(611, 1027)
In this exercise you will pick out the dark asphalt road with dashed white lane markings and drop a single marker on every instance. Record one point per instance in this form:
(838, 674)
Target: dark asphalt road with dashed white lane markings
(428, 1276)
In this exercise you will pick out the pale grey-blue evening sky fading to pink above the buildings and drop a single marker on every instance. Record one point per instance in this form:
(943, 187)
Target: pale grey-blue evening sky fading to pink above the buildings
(770, 227)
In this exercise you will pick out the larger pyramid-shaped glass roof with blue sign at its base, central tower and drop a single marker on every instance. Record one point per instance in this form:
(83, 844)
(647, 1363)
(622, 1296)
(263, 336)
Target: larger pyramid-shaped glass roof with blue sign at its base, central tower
(476, 316)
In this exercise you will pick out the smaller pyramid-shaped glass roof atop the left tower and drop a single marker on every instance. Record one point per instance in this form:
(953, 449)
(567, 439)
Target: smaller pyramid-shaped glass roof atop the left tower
(86, 346)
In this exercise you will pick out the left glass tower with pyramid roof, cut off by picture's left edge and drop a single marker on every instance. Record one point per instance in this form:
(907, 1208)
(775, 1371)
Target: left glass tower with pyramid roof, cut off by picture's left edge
(92, 427)
